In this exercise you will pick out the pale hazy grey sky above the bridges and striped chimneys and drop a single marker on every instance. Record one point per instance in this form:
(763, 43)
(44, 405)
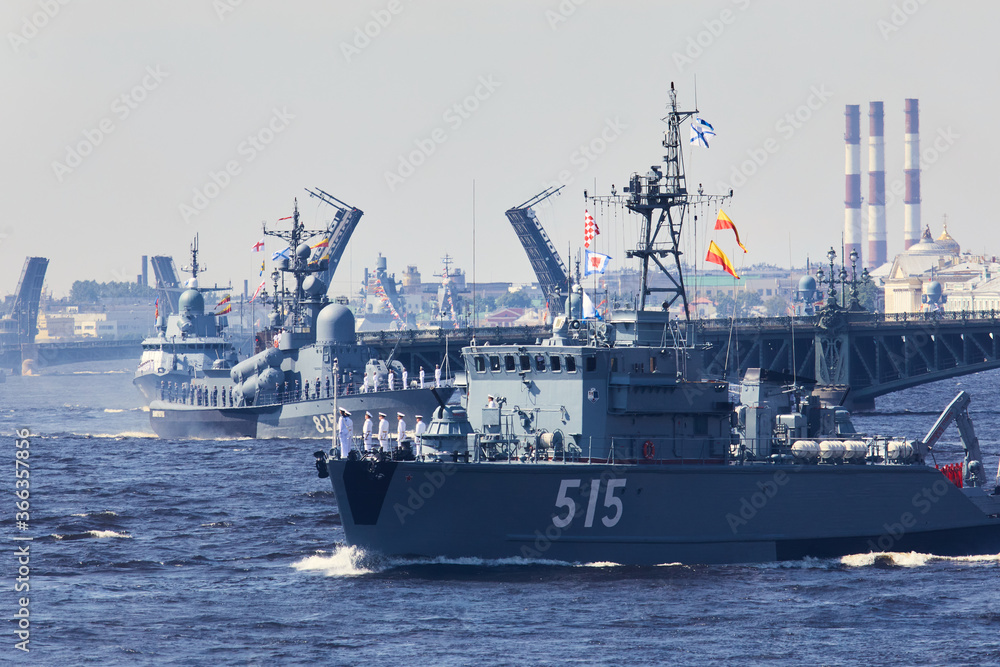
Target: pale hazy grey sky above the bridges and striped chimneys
(118, 113)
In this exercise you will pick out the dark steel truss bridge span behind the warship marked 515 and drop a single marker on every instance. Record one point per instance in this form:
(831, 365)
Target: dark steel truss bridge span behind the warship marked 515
(871, 353)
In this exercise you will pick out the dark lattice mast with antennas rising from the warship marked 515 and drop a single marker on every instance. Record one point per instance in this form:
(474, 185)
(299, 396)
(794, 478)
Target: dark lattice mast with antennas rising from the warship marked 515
(663, 189)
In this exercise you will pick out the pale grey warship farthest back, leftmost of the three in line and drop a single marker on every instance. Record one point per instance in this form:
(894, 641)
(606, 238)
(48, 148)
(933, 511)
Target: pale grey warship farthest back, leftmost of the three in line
(187, 342)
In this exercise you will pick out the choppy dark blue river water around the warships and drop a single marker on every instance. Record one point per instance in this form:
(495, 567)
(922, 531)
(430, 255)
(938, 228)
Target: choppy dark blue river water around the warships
(151, 551)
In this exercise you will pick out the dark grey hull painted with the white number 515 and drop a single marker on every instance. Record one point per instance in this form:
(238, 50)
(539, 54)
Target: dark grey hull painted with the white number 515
(652, 514)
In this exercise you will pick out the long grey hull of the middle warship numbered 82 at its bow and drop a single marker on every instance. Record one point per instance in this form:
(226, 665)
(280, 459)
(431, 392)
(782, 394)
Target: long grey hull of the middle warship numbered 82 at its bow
(314, 418)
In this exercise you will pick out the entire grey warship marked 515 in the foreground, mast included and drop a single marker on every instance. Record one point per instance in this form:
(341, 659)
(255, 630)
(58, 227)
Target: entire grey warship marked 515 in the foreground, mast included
(608, 442)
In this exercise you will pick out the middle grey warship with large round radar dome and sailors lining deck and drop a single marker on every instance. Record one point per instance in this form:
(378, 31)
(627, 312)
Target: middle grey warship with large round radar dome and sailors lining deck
(306, 361)
